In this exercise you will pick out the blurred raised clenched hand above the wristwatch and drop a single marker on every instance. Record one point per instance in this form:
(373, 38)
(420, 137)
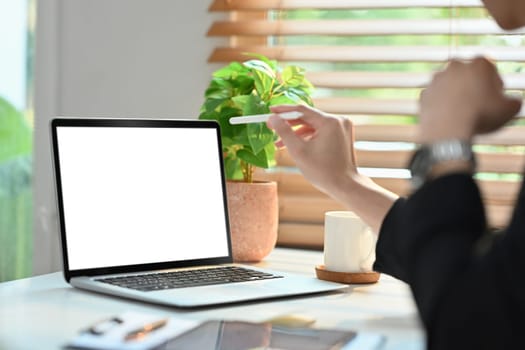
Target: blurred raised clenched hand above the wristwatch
(464, 100)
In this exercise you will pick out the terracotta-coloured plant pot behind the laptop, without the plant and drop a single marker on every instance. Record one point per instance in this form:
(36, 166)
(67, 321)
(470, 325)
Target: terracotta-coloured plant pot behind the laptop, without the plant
(254, 216)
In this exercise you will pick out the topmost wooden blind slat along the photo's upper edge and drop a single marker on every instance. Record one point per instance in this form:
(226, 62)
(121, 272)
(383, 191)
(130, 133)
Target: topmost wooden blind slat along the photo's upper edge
(232, 5)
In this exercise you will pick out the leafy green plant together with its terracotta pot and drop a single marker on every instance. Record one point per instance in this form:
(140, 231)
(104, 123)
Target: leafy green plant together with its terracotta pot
(250, 88)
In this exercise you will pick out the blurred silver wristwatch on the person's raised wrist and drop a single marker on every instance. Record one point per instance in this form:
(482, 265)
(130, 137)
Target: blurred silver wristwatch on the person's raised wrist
(429, 155)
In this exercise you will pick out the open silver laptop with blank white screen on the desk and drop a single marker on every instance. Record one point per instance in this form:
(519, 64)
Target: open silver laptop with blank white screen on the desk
(143, 215)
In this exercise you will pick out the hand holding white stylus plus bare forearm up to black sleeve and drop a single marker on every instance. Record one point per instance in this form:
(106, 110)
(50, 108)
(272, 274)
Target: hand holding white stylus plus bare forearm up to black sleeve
(322, 146)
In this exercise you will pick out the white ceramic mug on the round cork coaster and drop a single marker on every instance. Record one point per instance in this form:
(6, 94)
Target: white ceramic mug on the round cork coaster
(349, 244)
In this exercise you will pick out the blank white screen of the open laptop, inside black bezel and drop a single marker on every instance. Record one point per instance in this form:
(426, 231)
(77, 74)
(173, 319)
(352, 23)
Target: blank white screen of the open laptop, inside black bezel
(141, 195)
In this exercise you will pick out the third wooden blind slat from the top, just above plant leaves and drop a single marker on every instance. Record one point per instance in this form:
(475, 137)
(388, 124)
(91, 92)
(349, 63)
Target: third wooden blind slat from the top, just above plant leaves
(371, 54)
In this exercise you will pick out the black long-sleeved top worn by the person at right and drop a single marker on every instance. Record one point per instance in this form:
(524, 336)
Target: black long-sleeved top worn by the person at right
(468, 286)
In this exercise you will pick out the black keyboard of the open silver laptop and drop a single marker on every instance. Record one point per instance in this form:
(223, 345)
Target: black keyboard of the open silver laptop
(188, 278)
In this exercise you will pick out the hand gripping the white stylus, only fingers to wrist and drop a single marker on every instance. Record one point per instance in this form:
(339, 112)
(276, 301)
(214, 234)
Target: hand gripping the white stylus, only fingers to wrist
(321, 145)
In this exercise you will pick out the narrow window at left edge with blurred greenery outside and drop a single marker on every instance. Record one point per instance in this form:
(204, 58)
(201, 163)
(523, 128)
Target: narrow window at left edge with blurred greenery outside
(16, 42)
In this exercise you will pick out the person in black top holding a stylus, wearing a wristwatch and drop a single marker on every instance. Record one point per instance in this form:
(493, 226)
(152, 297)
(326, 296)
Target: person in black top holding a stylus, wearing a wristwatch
(468, 285)
